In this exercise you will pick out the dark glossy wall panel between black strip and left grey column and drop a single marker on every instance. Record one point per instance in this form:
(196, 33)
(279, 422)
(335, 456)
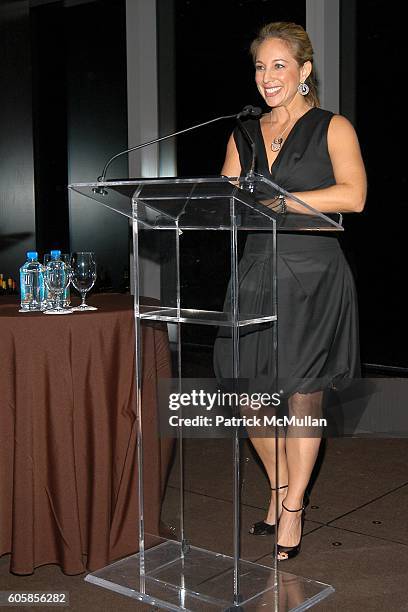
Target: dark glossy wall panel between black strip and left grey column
(97, 126)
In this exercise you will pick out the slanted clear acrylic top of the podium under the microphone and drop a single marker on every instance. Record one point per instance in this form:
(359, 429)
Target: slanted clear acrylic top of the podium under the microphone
(213, 203)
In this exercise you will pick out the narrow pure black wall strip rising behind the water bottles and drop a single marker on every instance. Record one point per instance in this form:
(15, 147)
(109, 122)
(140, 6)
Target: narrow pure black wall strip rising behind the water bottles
(49, 84)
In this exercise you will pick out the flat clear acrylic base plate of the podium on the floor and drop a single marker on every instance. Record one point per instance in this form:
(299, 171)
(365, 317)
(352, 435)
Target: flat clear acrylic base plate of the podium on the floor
(203, 581)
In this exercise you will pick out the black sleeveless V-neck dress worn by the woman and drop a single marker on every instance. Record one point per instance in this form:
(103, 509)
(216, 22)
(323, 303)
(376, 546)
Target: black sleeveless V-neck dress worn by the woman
(317, 307)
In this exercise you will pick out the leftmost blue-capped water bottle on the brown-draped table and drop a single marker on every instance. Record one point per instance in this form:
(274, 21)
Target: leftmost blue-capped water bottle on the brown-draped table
(32, 284)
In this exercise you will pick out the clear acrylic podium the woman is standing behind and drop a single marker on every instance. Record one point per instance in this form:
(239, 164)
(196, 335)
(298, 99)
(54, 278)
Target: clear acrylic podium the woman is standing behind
(173, 574)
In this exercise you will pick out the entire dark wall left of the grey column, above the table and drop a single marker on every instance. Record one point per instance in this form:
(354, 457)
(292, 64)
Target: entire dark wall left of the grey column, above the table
(63, 112)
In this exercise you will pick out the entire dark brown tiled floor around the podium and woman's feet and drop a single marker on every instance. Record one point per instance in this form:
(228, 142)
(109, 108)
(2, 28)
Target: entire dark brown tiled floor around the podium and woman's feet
(355, 538)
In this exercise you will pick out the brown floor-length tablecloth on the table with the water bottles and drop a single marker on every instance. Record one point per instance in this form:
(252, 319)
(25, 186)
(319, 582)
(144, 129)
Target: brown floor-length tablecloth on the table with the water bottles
(68, 487)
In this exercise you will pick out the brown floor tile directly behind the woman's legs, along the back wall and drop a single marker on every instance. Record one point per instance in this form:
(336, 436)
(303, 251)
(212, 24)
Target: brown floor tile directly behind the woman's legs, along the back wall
(349, 473)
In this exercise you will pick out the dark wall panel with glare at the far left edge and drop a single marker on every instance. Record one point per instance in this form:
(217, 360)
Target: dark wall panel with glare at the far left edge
(17, 213)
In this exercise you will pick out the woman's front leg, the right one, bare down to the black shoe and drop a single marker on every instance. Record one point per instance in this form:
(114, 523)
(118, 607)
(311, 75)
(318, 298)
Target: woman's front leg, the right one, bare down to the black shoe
(301, 454)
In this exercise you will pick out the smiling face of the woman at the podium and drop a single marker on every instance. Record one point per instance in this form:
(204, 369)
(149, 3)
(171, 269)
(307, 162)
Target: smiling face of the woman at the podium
(277, 73)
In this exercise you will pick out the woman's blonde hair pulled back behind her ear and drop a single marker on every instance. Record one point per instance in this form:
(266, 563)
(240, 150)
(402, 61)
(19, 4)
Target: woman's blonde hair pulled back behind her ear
(299, 43)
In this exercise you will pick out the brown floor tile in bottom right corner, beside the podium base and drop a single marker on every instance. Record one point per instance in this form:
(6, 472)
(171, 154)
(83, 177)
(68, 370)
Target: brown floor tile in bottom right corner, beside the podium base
(368, 574)
